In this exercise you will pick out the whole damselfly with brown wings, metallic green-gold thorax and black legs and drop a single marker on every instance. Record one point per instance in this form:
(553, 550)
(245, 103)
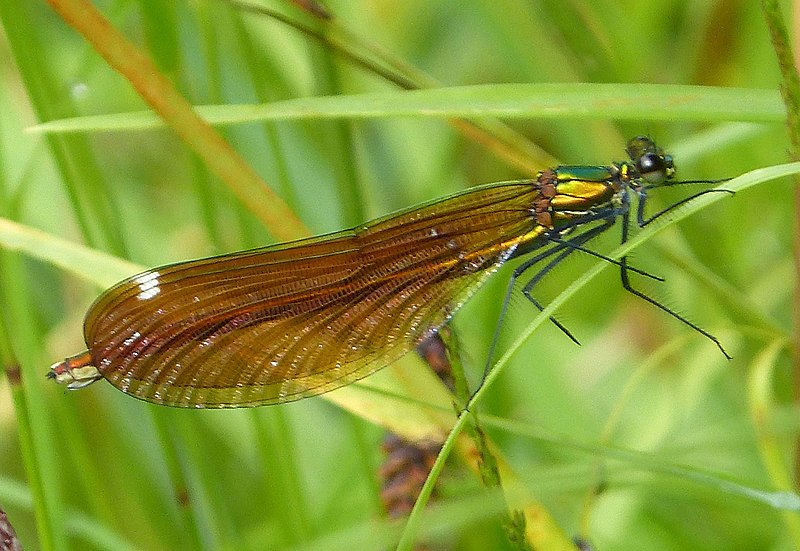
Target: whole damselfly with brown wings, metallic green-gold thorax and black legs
(293, 320)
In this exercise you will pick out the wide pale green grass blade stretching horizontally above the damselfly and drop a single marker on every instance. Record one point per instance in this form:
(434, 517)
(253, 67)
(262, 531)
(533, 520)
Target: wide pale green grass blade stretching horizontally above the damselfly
(640, 102)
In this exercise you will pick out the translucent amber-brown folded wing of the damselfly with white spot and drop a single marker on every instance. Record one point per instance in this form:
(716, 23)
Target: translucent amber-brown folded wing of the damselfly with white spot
(290, 321)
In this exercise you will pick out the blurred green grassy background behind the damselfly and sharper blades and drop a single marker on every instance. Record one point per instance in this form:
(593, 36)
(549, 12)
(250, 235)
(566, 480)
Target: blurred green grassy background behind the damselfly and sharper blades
(121, 474)
